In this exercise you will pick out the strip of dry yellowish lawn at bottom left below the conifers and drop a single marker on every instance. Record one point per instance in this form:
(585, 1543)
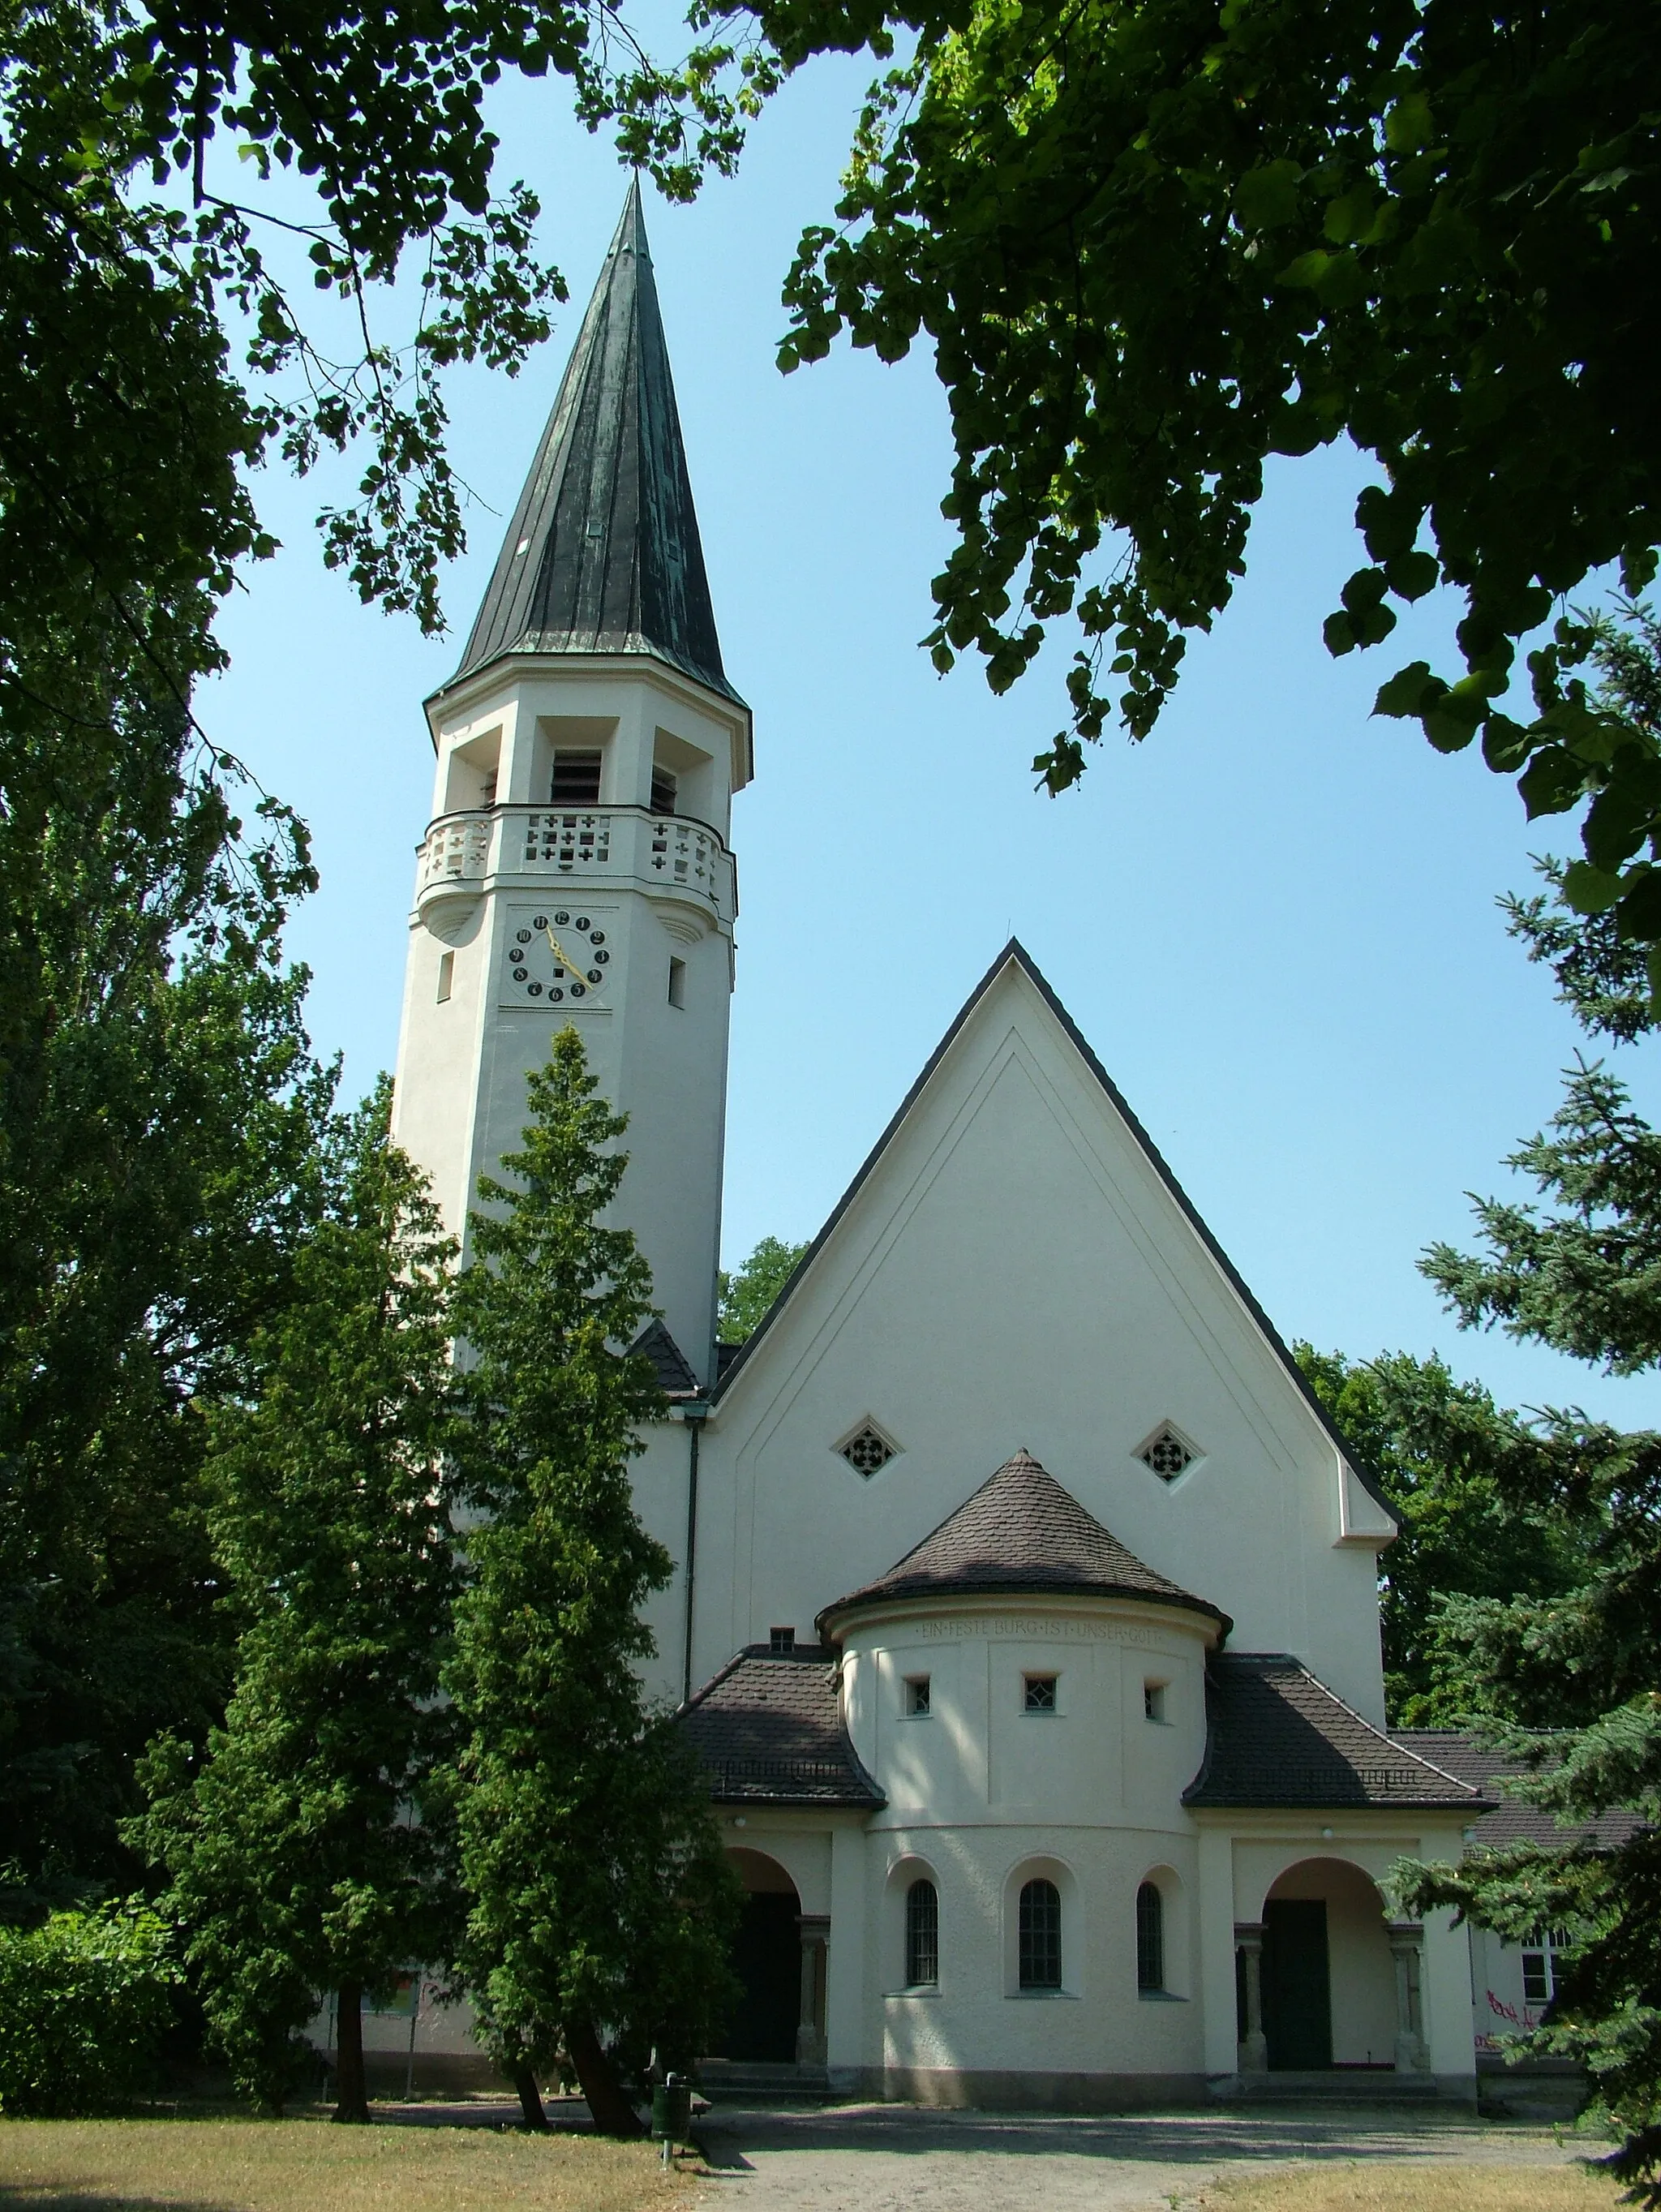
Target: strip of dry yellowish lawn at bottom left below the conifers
(311, 2167)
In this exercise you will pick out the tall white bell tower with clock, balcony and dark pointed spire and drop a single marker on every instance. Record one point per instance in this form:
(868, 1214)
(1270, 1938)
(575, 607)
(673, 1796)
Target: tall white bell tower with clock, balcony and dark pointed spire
(578, 864)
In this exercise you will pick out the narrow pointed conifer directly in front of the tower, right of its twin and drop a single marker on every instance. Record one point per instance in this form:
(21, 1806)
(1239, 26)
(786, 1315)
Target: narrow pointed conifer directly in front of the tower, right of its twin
(598, 1892)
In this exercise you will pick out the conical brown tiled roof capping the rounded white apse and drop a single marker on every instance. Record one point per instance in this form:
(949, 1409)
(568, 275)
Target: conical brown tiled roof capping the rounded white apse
(1021, 1536)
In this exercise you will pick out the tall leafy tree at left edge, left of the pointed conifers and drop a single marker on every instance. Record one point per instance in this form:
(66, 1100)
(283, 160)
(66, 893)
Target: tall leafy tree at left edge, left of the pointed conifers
(160, 1114)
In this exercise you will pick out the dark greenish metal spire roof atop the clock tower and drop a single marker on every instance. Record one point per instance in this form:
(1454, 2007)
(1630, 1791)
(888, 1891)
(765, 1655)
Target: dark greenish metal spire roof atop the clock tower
(603, 554)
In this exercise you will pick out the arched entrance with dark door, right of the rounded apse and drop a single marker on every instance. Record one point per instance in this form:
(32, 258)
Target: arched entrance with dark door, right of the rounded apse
(1335, 1983)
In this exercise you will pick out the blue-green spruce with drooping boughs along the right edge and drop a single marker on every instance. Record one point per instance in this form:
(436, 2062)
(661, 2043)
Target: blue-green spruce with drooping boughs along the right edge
(1578, 1673)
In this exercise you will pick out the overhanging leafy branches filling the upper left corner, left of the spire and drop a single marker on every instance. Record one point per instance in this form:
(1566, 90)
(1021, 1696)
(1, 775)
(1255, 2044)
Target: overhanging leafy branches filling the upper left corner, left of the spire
(147, 247)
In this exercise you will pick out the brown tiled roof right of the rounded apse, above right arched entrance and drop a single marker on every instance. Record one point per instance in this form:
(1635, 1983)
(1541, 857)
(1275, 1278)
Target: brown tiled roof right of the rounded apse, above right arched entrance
(1279, 1738)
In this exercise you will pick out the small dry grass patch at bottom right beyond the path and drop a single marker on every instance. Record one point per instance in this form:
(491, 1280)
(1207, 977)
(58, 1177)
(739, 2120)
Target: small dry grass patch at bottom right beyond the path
(1417, 2187)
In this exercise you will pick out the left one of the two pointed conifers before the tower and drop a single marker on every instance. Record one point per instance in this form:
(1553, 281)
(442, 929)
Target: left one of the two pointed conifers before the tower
(297, 1850)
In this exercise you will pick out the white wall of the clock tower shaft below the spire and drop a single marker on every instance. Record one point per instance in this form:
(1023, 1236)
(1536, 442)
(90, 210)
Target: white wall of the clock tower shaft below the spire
(463, 1058)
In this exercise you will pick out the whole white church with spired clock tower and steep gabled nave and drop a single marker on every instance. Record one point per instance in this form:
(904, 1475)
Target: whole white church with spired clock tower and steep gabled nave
(1027, 1603)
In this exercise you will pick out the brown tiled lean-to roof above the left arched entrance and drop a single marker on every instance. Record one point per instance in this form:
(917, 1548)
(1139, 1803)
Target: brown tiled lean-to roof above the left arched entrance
(769, 1731)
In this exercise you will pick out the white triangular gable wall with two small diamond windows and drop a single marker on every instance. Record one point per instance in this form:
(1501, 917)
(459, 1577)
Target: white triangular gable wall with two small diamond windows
(1016, 1273)
